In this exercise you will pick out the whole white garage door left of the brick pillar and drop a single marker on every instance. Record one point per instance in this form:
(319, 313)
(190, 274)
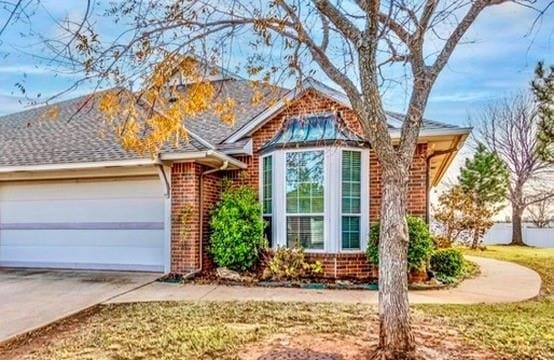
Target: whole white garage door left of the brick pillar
(100, 224)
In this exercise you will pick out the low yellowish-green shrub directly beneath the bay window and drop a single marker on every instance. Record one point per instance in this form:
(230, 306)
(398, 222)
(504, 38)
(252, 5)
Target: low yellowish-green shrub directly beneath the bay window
(291, 264)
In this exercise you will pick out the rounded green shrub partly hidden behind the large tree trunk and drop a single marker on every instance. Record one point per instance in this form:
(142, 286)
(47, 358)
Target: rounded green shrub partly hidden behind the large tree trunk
(420, 246)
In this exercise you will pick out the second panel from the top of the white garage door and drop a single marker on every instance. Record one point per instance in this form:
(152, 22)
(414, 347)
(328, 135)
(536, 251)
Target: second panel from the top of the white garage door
(98, 210)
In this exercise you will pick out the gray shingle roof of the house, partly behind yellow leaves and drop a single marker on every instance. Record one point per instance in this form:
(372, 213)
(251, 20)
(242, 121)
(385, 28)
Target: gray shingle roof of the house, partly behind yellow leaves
(32, 138)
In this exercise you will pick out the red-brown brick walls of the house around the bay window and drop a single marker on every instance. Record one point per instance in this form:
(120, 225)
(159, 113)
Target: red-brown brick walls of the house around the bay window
(185, 193)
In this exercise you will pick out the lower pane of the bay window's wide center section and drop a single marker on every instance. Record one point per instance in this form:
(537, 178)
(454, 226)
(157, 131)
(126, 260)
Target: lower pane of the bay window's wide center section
(307, 230)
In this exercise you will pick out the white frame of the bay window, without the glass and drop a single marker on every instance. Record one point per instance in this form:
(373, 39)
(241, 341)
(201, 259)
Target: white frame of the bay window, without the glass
(332, 180)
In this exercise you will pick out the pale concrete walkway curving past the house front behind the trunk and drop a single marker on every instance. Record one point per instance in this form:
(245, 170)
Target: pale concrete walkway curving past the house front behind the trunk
(498, 282)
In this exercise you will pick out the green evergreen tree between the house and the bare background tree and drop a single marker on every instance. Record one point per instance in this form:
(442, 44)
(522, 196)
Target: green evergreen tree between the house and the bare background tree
(485, 179)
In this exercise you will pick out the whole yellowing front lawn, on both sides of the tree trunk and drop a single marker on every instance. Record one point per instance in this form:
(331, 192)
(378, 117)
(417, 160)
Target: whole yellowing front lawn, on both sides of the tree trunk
(245, 330)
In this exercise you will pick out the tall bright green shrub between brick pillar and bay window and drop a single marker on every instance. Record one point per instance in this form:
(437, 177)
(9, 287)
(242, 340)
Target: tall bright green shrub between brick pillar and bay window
(237, 229)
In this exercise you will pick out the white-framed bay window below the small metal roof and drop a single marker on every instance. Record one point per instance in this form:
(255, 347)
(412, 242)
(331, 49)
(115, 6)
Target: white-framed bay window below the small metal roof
(317, 197)
